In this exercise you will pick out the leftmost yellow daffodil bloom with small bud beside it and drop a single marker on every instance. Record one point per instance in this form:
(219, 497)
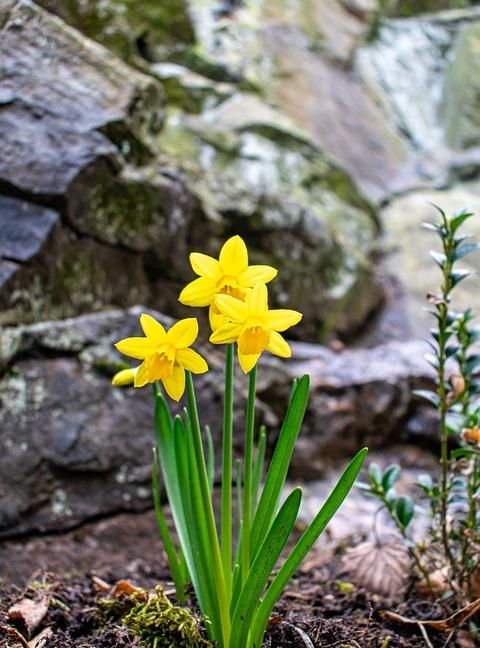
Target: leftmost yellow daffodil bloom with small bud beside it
(165, 355)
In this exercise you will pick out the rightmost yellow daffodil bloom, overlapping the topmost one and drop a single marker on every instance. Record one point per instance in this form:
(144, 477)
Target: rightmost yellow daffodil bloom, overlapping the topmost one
(253, 326)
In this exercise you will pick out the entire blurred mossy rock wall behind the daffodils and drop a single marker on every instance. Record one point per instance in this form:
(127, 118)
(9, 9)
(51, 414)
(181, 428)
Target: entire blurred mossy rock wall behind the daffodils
(135, 131)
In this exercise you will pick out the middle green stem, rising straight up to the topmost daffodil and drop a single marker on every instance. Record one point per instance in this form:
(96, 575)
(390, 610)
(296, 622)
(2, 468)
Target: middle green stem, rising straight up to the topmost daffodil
(226, 514)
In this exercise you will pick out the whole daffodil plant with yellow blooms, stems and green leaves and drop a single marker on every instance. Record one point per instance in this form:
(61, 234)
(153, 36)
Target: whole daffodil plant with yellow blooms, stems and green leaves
(231, 567)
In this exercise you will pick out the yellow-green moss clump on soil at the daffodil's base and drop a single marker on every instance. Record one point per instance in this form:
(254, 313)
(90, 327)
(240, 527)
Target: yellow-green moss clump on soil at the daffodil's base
(160, 624)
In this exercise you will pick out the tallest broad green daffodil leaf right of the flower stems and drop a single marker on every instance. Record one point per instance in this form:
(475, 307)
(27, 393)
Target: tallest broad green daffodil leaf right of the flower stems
(279, 465)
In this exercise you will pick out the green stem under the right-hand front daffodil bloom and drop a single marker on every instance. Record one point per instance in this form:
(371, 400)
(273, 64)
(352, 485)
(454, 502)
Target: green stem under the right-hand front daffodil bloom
(248, 471)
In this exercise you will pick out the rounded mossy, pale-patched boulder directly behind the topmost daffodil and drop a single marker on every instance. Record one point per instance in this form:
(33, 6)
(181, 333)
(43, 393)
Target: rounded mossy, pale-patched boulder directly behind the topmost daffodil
(254, 171)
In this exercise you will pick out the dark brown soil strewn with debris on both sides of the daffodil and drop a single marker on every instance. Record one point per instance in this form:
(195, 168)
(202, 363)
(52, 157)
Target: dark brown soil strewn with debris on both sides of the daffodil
(318, 609)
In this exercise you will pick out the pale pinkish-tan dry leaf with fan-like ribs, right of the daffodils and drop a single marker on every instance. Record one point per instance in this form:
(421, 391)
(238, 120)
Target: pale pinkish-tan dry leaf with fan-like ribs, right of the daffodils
(380, 568)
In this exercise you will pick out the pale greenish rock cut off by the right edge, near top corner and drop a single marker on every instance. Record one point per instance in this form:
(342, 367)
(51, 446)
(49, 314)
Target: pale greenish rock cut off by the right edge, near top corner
(461, 95)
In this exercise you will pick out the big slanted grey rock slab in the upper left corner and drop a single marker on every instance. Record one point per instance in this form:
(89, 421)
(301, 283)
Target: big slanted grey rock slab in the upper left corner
(95, 106)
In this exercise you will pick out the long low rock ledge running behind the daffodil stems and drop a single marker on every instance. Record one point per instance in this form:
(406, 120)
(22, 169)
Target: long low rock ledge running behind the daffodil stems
(73, 447)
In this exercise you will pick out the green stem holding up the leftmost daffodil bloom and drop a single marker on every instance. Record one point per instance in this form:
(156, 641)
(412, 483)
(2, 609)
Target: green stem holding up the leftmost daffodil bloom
(217, 566)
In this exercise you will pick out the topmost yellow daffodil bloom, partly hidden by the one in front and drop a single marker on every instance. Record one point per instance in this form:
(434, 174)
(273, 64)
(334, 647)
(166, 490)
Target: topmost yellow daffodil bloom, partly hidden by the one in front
(229, 275)
